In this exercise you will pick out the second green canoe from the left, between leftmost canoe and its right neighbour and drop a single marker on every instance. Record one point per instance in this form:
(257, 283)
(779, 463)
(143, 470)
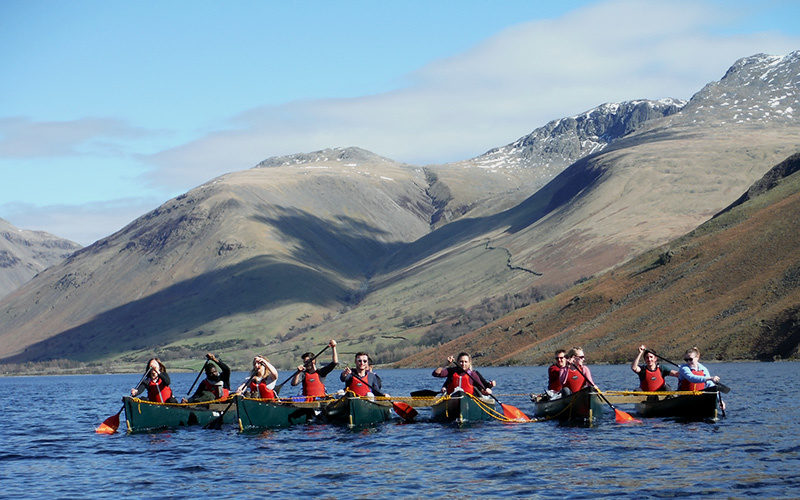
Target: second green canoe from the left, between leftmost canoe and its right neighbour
(255, 414)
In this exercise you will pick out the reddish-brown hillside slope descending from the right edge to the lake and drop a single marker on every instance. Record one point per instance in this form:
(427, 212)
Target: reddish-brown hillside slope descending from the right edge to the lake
(731, 287)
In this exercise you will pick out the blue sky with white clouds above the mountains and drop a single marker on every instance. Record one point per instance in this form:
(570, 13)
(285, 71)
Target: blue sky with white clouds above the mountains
(110, 108)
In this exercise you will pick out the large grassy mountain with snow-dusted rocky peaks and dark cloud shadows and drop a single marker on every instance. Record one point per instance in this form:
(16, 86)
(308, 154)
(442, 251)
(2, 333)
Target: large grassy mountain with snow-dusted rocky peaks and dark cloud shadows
(393, 258)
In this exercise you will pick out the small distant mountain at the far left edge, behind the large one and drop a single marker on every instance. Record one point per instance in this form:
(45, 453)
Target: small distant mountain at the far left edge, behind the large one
(24, 253)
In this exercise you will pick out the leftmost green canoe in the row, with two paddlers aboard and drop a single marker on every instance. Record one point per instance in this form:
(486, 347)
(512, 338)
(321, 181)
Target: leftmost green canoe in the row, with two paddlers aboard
(142, 415)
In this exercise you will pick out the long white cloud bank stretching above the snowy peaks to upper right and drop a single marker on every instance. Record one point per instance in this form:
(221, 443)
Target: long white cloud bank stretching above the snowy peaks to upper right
(500, 90)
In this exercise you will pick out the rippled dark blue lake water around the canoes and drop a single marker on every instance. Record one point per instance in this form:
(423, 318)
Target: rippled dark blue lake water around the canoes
(48, 447)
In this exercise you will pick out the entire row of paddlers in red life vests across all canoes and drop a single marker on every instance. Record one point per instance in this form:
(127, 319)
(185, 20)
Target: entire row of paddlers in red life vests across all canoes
(568, 374)
